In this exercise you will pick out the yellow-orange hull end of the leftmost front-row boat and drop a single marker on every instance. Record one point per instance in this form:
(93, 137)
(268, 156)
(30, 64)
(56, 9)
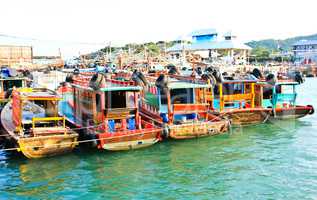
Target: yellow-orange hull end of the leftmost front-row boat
(47, 146)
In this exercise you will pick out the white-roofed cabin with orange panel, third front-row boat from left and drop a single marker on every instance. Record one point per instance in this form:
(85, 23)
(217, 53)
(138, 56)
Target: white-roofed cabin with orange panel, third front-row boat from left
(178, 102)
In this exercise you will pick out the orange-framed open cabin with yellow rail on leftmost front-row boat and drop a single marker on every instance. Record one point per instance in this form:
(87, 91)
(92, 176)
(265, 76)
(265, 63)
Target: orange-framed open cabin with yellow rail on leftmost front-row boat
(35, 110)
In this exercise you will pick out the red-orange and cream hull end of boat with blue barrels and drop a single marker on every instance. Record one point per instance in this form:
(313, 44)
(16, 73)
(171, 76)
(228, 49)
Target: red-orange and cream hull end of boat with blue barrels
(130, 140)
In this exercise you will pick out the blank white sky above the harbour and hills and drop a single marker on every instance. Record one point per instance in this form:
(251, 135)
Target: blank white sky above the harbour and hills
(80, 26)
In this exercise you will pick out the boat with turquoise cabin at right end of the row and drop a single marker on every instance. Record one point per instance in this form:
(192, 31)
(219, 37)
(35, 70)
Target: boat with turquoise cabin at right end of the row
(281, 98)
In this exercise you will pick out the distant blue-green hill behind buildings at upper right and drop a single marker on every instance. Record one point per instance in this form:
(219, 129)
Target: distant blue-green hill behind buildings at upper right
(286, 44)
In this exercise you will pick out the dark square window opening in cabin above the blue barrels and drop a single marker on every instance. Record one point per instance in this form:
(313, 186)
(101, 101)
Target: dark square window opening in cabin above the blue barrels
(116, 99)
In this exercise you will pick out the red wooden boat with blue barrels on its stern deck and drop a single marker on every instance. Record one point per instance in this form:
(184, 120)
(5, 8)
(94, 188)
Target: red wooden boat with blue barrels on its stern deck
(106, 112)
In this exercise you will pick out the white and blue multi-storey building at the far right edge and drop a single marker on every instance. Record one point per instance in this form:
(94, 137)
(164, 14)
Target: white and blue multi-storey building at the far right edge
(305, 51)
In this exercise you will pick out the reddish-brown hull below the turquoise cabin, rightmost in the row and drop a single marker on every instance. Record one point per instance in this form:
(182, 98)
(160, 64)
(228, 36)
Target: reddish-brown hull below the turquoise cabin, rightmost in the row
(292, 112)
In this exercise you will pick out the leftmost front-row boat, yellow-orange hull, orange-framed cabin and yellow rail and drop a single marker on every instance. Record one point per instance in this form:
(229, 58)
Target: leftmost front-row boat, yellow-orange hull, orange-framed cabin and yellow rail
(32, 124)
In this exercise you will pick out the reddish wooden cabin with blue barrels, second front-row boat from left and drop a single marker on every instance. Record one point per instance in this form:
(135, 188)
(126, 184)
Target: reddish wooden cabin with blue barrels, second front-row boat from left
(114, 104)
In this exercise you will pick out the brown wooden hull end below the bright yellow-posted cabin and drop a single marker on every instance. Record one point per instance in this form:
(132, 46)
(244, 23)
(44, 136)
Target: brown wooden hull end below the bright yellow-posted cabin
(246, 117)
